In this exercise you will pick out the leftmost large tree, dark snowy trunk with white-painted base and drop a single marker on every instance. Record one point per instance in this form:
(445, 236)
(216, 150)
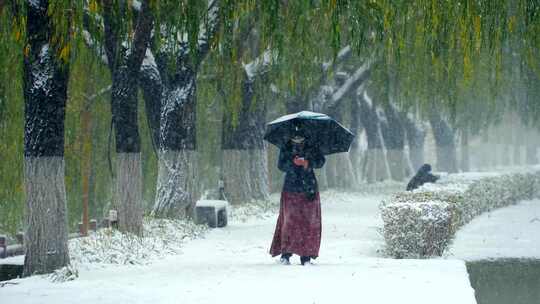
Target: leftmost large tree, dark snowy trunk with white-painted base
(45, 83)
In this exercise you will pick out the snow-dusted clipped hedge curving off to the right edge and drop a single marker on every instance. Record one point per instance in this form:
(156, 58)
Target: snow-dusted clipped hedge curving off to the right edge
(421, 223)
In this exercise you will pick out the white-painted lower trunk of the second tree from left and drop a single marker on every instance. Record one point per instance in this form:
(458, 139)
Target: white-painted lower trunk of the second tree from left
(129, 193)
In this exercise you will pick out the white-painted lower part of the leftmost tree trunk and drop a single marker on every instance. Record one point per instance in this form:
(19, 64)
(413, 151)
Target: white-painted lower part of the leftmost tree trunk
(46, 219)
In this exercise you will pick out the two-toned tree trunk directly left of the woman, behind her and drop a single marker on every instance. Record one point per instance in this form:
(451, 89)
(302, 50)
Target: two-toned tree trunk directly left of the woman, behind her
(244, 162)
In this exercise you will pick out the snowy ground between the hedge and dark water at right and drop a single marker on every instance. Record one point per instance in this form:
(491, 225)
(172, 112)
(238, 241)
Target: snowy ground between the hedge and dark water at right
(510, 232)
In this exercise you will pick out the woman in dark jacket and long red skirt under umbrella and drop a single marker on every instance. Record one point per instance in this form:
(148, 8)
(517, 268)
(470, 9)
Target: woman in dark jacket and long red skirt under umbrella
(298, 228)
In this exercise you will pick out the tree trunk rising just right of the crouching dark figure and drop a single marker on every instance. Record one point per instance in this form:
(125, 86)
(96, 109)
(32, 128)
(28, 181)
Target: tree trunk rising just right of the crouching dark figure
(445, 146)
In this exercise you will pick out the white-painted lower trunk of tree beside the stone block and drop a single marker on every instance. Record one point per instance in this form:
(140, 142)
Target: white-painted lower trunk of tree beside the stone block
(176, 184)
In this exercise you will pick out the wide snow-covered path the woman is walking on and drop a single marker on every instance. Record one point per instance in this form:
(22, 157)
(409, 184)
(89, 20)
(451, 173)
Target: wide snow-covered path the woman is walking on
(231, 265)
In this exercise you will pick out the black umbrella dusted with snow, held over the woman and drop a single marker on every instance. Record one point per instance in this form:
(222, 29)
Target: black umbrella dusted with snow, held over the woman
(320, 131)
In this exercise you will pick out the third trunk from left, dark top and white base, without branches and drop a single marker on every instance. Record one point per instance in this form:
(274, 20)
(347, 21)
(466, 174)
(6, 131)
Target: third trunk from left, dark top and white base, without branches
(176, 192)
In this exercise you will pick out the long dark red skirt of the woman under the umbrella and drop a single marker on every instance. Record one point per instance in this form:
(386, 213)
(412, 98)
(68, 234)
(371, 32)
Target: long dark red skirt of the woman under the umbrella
(298, 228)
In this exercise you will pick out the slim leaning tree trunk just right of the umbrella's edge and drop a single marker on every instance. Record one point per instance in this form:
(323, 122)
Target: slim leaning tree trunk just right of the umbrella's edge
(374, 167)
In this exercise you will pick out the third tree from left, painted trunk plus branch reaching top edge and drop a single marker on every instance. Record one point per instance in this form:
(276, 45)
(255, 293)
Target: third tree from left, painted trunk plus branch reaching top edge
(176, 189)
